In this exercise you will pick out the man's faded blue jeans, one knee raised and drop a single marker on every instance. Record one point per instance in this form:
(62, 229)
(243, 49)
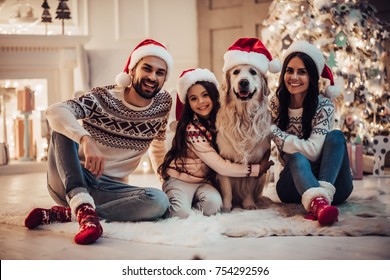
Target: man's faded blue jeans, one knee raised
(115, 201)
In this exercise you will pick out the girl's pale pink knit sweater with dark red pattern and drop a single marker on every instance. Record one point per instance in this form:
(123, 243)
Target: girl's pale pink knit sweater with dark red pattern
(202, 156)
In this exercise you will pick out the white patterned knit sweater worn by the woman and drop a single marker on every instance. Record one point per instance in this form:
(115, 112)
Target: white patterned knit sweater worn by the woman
(290, 141)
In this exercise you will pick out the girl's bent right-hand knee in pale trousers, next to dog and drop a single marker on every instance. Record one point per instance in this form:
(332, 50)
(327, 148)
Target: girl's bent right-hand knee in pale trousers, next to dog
(208, 200)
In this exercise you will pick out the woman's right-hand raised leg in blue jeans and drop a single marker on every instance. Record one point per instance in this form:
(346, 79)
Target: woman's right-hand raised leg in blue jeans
(335, 167)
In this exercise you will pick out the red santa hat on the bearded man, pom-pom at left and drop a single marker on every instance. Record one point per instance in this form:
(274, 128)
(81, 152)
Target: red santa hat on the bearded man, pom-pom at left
(147, 47)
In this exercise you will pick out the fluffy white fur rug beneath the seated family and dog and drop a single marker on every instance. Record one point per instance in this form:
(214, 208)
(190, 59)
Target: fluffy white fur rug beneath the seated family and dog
(366, 214)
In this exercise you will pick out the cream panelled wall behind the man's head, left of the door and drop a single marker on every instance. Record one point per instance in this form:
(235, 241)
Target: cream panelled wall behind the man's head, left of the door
(116, 26)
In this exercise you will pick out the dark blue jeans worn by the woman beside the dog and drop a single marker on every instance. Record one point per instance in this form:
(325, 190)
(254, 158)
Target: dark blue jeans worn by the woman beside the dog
(300, 174)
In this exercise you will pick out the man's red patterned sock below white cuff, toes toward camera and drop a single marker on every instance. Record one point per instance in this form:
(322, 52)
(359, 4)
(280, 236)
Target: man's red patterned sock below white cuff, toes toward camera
(90, 229)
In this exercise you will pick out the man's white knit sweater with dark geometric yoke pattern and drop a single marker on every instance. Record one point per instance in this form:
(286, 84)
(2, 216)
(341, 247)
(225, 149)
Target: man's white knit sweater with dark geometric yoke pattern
(122, 132)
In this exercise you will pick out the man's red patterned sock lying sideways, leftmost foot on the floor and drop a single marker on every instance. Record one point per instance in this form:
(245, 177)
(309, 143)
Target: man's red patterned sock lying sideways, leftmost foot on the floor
(40, 216)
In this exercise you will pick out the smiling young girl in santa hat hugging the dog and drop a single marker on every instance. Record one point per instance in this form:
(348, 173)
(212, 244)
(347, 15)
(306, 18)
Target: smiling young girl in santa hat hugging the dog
(189, 166)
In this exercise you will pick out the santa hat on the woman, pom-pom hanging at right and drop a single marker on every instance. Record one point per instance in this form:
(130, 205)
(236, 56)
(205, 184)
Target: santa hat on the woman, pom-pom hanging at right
(315, 54)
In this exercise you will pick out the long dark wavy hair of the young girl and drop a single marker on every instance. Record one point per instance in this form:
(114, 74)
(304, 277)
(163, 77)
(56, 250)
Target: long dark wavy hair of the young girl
(179, 150)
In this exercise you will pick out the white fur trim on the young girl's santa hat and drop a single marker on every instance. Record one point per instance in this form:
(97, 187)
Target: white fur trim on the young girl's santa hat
(190, 77)
